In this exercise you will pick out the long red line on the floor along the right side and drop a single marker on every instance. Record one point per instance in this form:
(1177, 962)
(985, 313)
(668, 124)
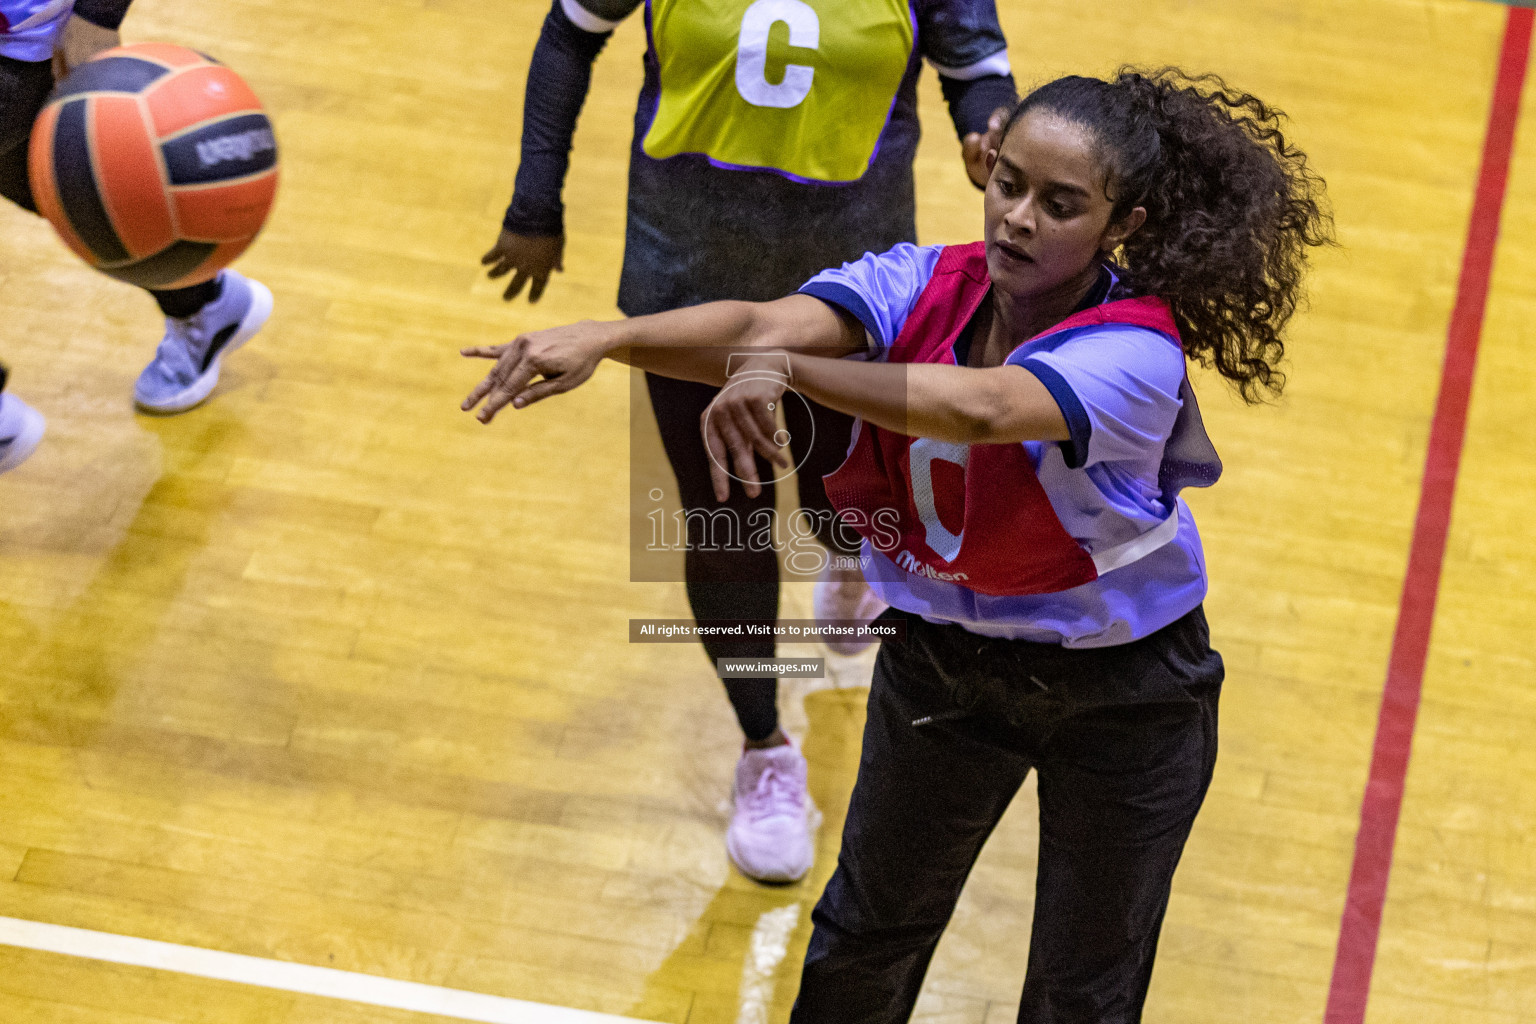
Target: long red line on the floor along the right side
(1400, 699)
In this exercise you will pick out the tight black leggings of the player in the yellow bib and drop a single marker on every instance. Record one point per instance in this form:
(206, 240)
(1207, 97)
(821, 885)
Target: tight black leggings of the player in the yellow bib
(746, 584)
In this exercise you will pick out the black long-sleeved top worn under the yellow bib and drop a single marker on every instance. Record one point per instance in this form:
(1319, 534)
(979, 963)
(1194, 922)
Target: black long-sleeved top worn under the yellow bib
(700, 231)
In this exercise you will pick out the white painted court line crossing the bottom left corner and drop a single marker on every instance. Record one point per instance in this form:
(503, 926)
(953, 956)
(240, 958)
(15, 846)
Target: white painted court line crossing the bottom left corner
(276, 974)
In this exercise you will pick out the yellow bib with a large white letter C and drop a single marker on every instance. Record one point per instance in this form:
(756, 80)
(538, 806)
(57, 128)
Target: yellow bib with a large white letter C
(796, 87)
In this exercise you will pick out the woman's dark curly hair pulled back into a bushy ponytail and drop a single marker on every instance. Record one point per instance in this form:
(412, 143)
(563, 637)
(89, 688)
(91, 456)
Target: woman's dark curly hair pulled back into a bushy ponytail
(1233, 208)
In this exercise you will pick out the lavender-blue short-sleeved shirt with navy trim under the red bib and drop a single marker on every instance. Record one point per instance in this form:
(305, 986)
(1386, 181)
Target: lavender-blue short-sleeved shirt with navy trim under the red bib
(1121, 389)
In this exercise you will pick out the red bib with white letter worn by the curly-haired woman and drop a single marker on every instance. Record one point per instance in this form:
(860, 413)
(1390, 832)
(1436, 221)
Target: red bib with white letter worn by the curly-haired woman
(972, 515)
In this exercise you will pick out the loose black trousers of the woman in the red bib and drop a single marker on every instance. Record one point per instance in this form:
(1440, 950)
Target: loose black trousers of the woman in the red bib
(1124, 742)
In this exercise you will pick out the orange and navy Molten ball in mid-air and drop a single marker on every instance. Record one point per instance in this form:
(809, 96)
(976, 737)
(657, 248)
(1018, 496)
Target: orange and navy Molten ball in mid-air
(154, 164)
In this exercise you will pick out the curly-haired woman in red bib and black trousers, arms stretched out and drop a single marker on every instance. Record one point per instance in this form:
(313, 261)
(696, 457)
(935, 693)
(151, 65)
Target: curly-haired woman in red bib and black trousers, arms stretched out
(1025, 428)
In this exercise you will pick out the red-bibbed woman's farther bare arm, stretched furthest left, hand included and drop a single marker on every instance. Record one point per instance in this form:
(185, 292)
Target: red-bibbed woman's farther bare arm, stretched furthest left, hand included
(692, 345)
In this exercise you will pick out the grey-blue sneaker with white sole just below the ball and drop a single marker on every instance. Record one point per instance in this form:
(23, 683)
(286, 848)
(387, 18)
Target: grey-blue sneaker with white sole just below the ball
(187, 365)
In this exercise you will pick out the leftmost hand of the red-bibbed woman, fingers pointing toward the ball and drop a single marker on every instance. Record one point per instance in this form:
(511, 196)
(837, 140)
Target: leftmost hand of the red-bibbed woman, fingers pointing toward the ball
(563, 357)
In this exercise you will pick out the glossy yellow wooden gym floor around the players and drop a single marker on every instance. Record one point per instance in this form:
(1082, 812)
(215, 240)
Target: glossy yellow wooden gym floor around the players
(326, 673)
